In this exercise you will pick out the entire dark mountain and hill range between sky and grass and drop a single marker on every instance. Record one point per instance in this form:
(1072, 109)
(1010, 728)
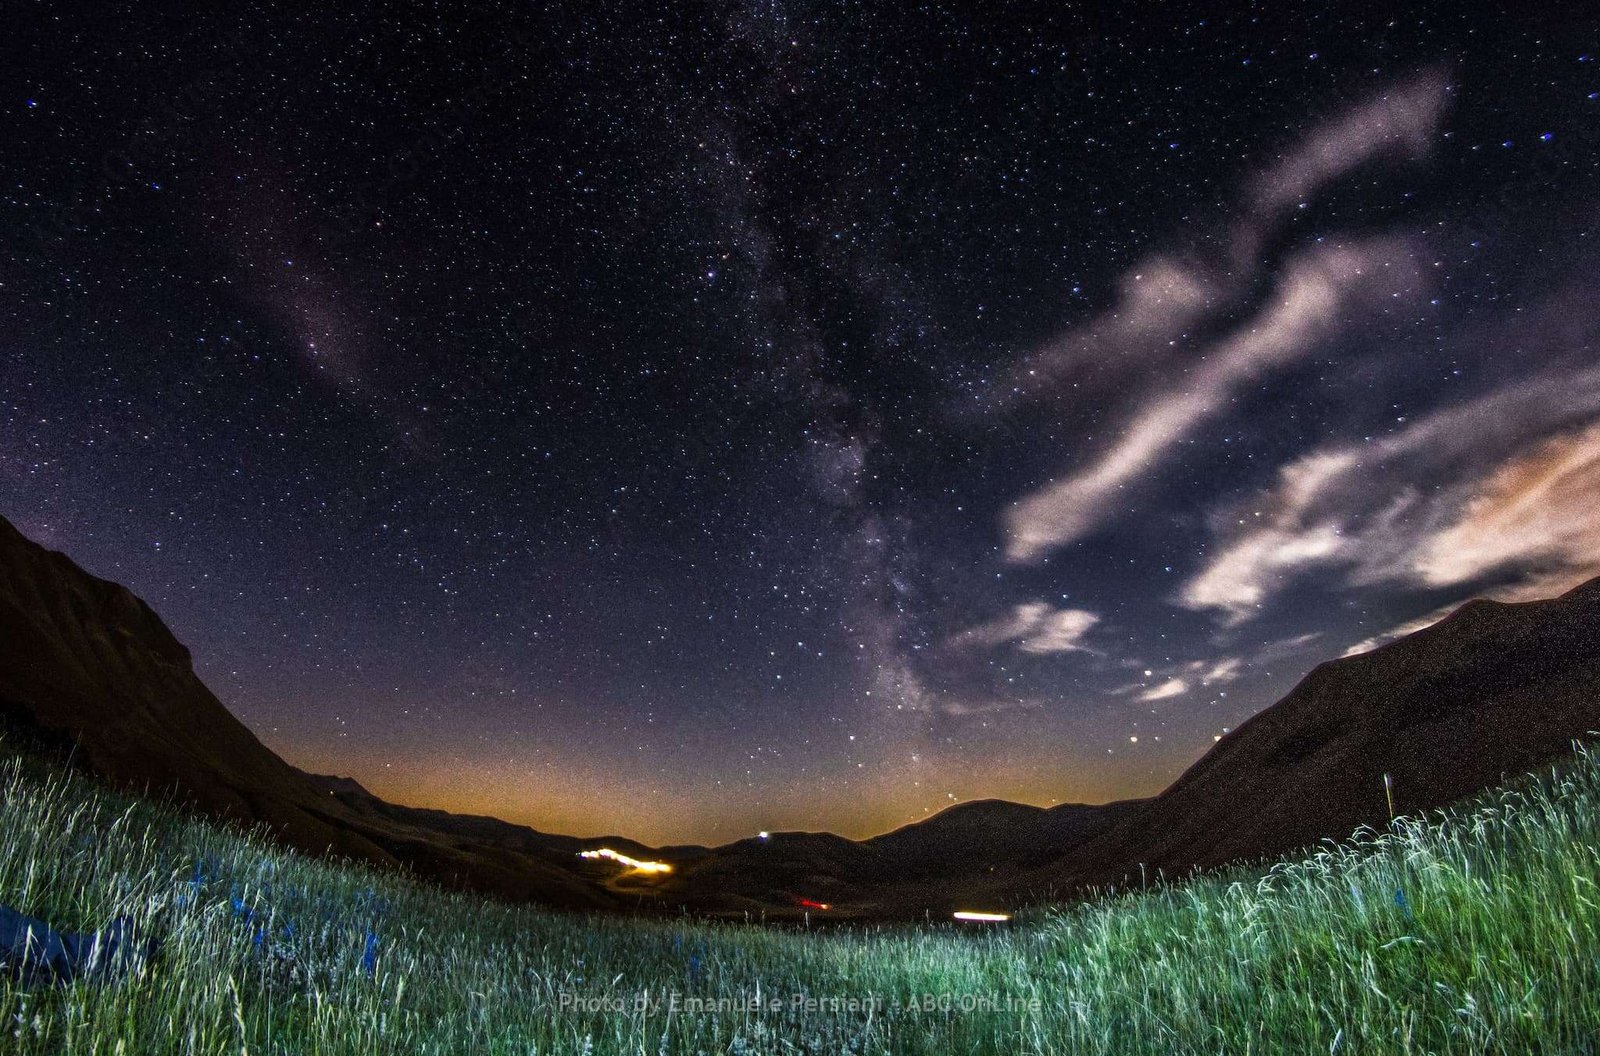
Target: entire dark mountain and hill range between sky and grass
(1490, 692)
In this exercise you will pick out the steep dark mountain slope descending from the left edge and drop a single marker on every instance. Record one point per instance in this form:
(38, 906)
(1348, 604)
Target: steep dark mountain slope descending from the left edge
(92, 671)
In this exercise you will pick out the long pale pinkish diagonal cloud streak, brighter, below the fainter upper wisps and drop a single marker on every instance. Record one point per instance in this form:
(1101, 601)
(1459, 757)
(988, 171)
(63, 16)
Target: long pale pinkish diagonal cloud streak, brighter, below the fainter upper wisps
(1321, 290)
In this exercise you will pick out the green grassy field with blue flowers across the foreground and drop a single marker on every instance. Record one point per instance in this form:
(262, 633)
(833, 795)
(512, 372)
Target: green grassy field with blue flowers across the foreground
(1478, 932)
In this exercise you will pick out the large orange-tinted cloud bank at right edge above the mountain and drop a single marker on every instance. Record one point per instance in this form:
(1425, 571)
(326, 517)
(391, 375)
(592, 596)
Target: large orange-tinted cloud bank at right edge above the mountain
(1505, 486)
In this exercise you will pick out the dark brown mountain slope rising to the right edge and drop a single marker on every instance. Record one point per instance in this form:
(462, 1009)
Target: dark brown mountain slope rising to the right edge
(1489, 694)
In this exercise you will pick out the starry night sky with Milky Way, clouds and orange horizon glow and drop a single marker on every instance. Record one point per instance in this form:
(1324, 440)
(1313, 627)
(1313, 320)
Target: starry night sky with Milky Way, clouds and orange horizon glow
(706, 418)
